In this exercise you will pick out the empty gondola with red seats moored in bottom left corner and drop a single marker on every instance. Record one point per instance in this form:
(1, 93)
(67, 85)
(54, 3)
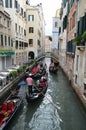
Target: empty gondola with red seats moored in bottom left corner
(8, 109)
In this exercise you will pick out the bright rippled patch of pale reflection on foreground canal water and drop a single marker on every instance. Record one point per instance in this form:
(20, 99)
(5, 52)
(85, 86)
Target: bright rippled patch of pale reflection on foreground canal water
(46, 117)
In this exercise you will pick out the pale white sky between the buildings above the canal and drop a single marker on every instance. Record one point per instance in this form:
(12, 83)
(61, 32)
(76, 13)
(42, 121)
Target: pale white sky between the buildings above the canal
(49, 10)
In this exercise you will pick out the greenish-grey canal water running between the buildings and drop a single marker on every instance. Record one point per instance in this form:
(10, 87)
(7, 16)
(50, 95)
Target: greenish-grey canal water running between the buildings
(60, 109)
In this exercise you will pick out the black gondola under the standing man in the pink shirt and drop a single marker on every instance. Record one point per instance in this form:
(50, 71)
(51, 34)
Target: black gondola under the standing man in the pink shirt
(38, 92)
